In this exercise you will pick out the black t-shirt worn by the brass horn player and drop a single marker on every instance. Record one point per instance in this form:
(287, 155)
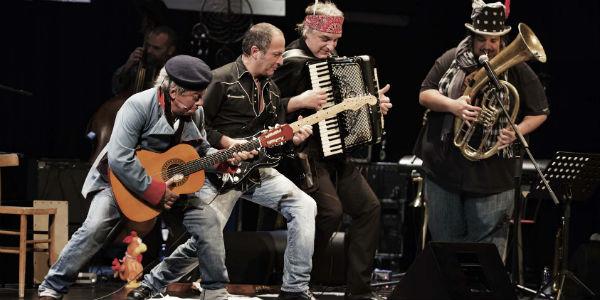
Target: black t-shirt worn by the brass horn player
(444, 163)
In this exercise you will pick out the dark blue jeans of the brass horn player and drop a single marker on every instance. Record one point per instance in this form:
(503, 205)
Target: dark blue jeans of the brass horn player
(460, 217)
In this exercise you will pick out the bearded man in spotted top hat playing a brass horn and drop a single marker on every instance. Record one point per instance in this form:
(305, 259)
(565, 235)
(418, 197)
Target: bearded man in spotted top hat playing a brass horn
(472, 201)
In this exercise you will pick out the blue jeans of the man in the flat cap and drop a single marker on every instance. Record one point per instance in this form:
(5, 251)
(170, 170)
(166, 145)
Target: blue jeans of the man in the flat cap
(103, 214)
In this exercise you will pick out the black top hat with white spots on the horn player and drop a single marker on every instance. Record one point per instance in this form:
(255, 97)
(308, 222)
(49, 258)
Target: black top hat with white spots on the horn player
(488, 19)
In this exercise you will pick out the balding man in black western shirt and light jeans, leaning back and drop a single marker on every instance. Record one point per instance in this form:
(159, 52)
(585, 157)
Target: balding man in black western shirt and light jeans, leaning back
(242, 100)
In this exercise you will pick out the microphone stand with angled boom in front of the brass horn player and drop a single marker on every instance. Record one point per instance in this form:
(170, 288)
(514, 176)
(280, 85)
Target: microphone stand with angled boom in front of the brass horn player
(517, 203)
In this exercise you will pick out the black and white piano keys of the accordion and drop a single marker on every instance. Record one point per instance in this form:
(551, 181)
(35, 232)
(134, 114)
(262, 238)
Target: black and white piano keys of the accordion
(329, 129)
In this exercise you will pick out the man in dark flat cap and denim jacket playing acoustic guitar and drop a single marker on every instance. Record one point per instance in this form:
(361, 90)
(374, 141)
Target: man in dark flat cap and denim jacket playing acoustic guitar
(155, 119)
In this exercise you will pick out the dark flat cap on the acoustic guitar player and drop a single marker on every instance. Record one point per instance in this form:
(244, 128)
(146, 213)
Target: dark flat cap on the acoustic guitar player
(189, 72)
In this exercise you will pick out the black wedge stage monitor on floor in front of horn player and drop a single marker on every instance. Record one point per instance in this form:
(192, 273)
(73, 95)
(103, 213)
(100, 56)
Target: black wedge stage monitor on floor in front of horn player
(455, 271)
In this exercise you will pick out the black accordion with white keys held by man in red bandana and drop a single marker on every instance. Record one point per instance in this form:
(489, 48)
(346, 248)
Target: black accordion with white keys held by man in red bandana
(342, 78)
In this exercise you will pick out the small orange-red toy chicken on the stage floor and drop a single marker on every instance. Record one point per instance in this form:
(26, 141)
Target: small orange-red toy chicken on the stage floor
(130, 267)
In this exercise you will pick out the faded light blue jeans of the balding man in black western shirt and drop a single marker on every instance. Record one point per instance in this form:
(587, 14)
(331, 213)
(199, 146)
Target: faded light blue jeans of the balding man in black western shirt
(299, 209)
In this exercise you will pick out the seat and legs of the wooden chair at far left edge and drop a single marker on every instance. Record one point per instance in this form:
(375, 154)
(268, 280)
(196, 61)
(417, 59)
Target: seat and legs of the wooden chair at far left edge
(24, 212)
